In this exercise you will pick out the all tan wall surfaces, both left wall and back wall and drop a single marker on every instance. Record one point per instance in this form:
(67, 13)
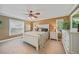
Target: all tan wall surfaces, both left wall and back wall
(4, 33)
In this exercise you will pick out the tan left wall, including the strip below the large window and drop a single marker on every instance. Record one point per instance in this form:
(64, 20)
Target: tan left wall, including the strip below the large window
(4, 28)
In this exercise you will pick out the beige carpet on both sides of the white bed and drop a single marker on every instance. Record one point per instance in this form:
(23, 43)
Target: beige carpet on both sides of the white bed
(19, 47)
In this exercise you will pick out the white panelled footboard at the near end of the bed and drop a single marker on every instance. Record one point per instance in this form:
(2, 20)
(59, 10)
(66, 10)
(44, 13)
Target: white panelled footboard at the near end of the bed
(32, 40)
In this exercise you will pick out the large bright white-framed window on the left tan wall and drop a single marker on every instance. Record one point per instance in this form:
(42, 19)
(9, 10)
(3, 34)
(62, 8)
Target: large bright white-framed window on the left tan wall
(16, 27)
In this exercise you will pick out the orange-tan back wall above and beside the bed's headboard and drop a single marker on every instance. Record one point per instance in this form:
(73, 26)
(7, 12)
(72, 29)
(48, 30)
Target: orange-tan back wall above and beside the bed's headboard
(52, 22)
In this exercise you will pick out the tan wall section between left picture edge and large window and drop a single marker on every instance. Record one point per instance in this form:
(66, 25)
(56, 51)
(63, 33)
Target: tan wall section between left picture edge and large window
(4, 27)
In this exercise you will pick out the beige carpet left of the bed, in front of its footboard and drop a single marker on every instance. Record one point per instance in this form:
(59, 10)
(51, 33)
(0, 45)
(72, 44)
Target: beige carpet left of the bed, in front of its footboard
(16, 47)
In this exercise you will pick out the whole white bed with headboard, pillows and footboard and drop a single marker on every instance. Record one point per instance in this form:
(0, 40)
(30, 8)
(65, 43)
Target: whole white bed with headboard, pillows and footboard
(37, 37)
